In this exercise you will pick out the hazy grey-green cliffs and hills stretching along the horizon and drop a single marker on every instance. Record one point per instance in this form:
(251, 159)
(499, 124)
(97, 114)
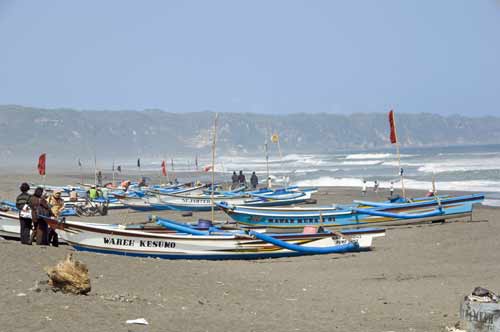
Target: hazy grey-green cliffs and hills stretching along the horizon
(68, 134)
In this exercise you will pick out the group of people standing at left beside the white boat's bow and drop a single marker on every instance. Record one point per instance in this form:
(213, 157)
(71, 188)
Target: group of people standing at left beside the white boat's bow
(32, 209)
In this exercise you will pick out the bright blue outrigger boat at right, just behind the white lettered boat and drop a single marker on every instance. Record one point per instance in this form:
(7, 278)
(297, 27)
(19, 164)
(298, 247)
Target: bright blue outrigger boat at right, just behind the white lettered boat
(360, 214)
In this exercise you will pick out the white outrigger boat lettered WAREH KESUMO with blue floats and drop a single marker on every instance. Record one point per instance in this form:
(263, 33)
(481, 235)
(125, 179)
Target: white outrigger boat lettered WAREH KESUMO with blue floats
(213, 244)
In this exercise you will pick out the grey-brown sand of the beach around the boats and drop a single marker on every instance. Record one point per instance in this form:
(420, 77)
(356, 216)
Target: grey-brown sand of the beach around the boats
(412, 280)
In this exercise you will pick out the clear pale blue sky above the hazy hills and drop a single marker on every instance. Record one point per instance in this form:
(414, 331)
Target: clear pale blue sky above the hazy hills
(253, 56)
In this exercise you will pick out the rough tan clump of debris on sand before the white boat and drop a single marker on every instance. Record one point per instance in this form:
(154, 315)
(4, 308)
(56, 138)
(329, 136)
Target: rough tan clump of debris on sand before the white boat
(69, 276)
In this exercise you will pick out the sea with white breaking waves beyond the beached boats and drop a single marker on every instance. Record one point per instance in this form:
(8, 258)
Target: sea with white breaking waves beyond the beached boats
(462, 168)
